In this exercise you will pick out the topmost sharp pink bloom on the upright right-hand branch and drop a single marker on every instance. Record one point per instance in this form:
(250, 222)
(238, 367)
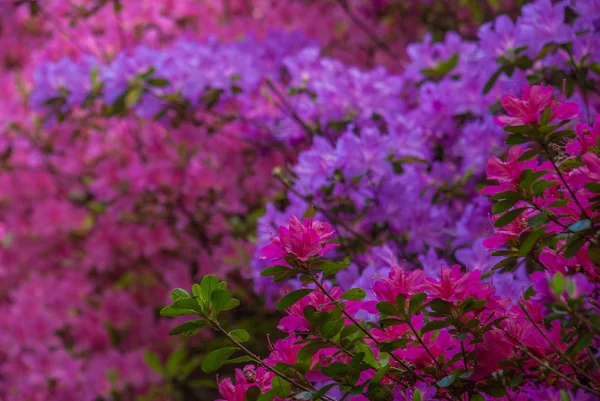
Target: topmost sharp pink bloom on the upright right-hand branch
(529, 108)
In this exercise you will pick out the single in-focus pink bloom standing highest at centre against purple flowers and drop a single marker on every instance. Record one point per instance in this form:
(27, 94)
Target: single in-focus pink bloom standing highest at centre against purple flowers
(303, 239)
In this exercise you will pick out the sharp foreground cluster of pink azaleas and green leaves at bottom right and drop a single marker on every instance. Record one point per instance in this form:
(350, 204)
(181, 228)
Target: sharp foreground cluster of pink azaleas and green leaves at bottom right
(408, 336)
